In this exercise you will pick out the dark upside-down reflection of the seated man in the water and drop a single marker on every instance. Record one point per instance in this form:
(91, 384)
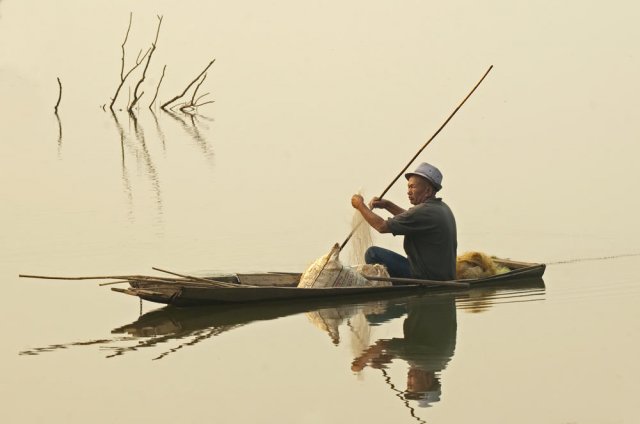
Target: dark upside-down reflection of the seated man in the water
(428, 345)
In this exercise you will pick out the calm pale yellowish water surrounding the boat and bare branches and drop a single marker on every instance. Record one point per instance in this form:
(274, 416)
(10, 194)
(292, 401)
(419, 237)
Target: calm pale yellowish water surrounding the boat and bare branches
(313, 102)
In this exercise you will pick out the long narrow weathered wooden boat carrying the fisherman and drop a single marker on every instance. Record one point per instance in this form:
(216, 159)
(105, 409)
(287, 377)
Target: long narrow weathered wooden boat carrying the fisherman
(274, 286)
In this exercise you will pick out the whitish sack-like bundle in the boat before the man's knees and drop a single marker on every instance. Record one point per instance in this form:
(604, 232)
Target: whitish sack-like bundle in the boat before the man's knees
(328, 271)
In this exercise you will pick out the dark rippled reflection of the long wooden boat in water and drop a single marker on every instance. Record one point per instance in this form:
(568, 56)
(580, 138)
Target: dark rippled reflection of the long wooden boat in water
(184, 327)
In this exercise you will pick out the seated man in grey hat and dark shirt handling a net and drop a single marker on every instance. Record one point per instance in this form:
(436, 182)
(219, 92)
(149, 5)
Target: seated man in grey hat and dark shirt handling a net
(429, 229)
